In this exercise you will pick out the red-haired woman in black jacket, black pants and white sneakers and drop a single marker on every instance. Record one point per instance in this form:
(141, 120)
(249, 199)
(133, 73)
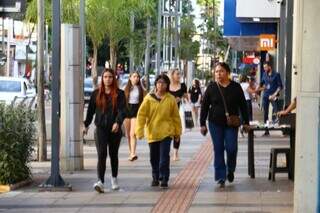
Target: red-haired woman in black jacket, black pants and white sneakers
(109, 105)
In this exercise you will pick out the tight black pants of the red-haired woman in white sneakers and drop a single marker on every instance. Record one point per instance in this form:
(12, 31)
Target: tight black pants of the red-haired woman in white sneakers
(107, 140)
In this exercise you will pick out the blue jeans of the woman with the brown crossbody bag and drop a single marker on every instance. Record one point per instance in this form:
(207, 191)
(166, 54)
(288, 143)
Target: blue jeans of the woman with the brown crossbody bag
(224, 138)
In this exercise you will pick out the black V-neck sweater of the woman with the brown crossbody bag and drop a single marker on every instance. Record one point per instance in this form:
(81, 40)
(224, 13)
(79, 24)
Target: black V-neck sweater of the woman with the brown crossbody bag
(212, 103)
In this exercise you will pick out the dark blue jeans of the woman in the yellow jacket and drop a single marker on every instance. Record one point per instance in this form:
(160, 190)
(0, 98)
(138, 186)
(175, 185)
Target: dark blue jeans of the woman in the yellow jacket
(160, 159)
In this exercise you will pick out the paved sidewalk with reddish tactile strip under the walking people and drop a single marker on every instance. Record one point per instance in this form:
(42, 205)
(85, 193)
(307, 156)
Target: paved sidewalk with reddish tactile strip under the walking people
(192, 187)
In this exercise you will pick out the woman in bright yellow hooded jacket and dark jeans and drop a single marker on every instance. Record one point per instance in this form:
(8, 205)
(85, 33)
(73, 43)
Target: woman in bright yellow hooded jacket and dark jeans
(158, 118)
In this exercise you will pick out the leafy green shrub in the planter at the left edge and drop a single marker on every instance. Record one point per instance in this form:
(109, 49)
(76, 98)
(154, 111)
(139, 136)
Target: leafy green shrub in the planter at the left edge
(17, 134)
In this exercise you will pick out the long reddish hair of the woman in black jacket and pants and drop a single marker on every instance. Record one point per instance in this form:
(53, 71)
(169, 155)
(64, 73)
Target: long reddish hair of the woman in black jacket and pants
(101, 99)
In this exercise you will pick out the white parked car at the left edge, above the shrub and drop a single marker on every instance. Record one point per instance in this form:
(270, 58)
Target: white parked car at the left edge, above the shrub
(11, 88)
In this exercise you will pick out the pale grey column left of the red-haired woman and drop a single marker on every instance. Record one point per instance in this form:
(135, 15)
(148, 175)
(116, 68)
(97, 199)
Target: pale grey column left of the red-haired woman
(71, 139)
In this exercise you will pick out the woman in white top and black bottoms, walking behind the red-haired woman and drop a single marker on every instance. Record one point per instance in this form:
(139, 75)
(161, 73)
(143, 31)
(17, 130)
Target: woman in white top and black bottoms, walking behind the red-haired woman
(134, 96)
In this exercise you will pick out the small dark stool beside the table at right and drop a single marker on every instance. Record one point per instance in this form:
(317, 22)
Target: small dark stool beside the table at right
(273, 168)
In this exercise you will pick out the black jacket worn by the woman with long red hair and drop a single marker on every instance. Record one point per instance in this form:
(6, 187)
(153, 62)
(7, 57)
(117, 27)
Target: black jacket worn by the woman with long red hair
(109, 117)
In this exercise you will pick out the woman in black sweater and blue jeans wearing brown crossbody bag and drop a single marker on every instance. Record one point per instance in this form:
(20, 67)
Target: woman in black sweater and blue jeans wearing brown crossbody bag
(224, 136)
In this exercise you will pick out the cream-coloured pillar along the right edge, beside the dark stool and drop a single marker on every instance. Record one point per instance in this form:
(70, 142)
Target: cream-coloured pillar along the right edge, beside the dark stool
(306, 62)
